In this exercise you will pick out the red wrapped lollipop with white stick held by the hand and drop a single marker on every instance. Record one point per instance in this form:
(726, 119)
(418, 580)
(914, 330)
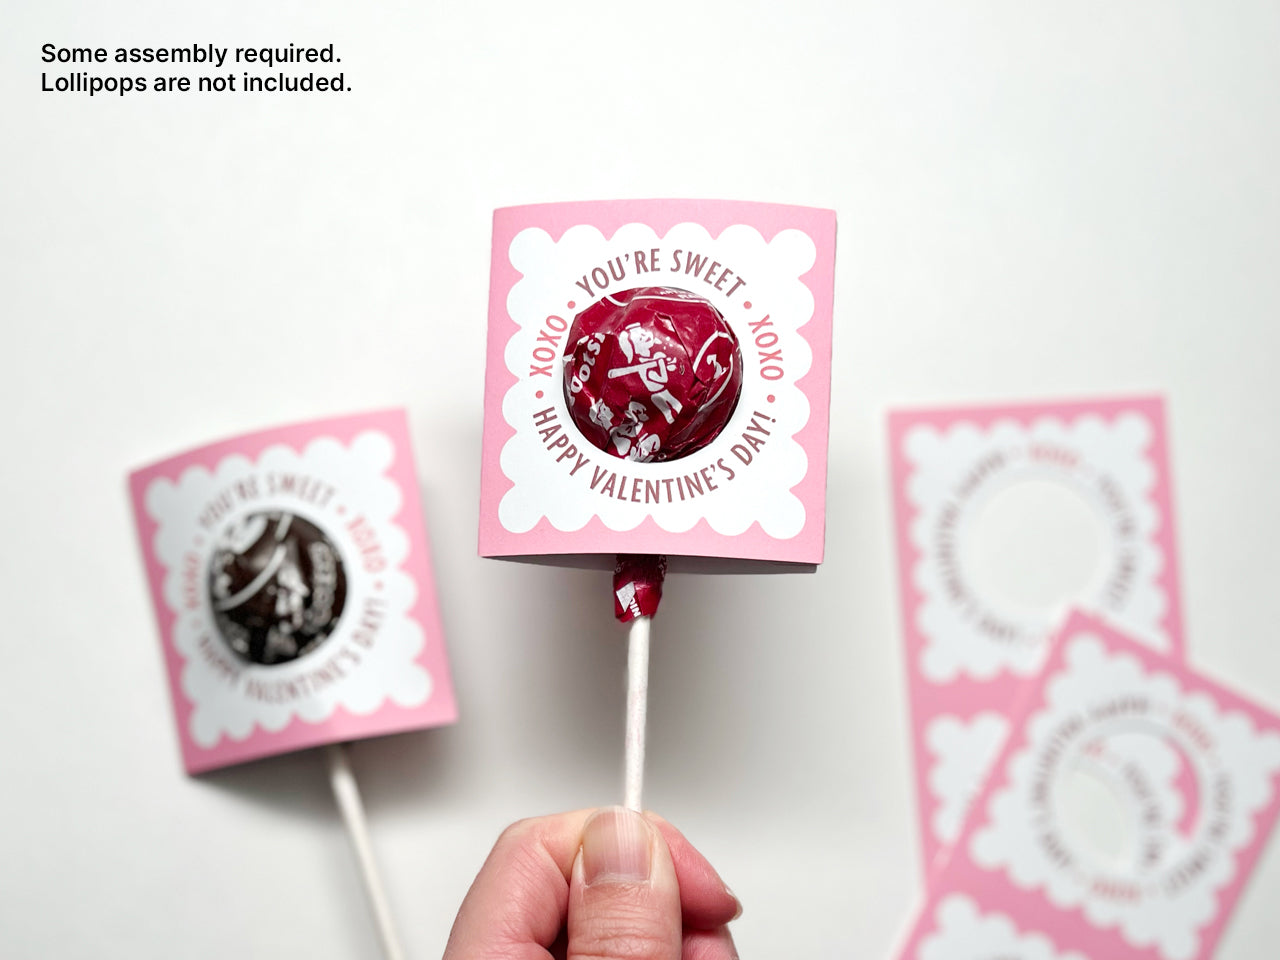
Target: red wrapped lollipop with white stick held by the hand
(651, 374)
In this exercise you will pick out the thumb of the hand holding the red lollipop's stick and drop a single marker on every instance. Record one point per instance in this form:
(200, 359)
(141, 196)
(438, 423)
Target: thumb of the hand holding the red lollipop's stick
(624, 898)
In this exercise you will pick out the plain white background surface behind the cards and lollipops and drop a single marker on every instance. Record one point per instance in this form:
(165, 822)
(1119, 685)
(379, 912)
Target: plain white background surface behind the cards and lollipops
(1036, 200)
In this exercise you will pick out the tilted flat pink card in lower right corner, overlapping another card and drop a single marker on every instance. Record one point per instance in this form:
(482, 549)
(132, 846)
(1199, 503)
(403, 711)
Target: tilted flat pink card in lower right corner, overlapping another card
(1123, 817)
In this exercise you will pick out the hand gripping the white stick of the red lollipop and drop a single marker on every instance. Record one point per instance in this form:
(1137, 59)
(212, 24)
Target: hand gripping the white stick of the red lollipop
(595, 885)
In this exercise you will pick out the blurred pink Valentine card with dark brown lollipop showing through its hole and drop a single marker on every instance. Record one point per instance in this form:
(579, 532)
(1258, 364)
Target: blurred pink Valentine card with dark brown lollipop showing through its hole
(294, 591)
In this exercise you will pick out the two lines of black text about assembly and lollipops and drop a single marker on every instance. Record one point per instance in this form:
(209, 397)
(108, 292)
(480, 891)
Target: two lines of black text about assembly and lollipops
(195, 68)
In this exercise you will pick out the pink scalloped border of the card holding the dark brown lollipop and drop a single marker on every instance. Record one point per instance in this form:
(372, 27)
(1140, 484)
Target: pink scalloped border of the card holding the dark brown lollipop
(441, 707)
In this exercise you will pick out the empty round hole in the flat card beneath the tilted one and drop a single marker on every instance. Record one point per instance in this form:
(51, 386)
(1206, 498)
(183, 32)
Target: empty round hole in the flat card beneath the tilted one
(1035, 546)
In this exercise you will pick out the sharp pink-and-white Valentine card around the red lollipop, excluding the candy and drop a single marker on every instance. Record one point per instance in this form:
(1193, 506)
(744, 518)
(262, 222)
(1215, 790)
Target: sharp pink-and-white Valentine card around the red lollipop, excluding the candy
(757, 491)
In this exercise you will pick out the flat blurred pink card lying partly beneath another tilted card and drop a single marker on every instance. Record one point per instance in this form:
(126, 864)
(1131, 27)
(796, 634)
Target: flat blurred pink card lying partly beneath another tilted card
(1005, 516)
